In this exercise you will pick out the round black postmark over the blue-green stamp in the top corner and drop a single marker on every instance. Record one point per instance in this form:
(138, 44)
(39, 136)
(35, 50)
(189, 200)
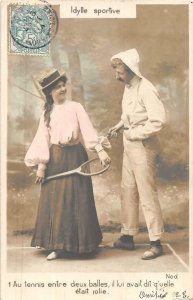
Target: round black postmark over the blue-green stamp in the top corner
(33, 26)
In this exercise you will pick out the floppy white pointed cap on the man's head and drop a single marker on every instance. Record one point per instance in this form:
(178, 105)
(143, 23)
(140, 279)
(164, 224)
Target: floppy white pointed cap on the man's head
(131, 59)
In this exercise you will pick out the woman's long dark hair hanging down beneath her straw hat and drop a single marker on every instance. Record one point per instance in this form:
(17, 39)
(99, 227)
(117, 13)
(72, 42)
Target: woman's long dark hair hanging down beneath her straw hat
(49, 100)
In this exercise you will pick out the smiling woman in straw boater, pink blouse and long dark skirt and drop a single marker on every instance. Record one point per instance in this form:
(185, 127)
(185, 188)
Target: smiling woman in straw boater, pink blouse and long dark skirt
(66, 218)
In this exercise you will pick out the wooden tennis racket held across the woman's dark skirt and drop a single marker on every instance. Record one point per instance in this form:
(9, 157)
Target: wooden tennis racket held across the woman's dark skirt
(91, 167)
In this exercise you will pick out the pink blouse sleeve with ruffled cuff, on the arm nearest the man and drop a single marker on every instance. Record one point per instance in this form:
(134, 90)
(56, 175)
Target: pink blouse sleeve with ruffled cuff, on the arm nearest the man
(89, 134)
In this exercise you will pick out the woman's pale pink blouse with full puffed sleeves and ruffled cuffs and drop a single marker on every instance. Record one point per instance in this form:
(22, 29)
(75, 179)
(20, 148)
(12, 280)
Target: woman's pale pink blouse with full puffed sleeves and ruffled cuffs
(69, 125)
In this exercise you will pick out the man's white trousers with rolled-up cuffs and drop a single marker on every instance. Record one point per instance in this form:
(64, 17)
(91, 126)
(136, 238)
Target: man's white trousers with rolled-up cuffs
(139, 186)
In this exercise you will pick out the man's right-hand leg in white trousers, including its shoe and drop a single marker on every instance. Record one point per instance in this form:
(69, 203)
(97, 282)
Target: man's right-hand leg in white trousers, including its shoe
(144, 170)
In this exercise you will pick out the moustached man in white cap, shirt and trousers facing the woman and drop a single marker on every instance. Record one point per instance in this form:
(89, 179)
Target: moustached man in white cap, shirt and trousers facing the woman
(143, 115)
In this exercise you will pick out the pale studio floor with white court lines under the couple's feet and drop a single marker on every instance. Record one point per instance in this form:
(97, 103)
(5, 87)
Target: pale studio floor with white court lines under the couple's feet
(22, 258)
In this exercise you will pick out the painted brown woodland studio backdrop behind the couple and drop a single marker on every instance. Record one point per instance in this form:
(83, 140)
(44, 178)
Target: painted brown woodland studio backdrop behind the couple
(83, 49)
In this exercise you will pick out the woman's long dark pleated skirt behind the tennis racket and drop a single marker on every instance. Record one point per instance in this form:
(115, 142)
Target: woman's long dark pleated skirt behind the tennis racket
(66, 217)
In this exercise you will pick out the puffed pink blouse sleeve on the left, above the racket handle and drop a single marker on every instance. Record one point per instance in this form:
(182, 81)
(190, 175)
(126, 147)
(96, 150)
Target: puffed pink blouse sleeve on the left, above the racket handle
(38, 152)
